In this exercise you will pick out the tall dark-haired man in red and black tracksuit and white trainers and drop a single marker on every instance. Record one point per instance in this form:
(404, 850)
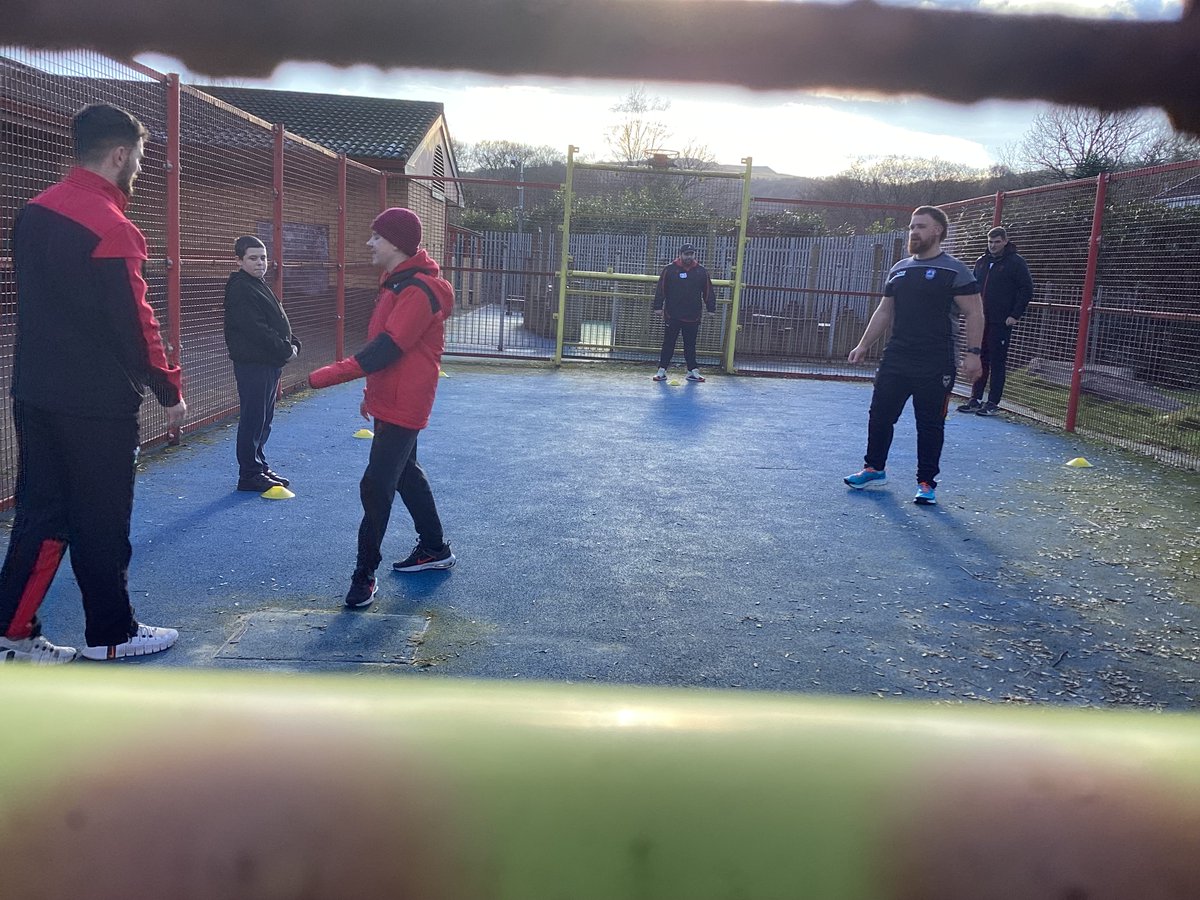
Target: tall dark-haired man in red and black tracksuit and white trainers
(87, 349)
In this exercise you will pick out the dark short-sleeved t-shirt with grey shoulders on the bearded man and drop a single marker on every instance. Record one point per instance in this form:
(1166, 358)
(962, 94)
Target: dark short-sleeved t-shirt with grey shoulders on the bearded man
(923, 293)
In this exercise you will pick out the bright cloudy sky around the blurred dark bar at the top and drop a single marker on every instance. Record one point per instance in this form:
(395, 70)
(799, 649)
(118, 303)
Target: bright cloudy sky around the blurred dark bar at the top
(793, 133)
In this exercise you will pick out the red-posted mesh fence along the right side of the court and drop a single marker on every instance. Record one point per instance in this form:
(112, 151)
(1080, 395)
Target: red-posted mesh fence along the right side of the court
(1111, 345)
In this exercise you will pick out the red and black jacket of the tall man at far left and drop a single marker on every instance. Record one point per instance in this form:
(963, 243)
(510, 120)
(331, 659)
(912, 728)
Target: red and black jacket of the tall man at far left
(88, 343)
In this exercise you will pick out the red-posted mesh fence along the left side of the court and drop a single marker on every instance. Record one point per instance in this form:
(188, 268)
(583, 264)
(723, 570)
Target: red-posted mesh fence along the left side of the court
(233, 175)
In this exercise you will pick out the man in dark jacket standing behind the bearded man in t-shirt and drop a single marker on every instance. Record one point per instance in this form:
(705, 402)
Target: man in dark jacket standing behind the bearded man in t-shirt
(1007, 289)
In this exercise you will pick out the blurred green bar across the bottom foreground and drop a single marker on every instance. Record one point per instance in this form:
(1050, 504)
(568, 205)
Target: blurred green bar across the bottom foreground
(206, 784)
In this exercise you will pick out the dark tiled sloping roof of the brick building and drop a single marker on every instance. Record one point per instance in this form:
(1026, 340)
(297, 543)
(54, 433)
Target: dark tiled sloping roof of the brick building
(362, 128)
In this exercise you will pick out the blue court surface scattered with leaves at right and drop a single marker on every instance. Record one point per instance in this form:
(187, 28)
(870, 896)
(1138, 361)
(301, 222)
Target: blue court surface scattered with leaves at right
(614, 530)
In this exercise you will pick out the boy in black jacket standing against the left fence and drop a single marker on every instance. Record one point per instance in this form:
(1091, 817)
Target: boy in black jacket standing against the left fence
(261, 344)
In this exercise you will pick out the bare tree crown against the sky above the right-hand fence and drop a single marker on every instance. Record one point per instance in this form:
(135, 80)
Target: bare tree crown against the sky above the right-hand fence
(1077, 142)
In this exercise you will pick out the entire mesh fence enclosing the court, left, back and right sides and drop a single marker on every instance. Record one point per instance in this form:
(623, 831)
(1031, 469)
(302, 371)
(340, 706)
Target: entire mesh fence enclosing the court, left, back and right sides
(1109, 345)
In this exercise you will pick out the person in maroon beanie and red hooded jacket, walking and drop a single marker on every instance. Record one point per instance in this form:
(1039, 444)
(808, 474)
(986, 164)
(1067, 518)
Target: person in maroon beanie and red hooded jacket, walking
(401, 363)
